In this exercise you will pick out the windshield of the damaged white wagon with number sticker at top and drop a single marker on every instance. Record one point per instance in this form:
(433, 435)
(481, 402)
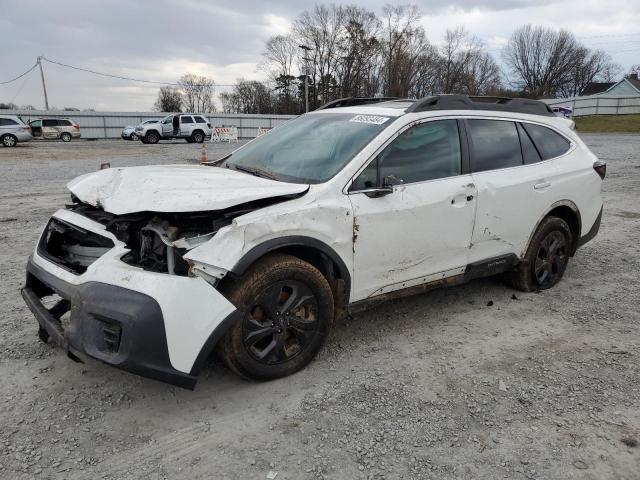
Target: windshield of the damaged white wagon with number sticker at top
(308, 149)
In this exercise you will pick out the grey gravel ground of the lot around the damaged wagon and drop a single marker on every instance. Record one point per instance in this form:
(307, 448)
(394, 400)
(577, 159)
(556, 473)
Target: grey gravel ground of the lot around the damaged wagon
(475, 381)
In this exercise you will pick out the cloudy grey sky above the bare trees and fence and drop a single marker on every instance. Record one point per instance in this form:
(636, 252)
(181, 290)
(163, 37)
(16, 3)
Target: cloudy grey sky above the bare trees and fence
(162, 39)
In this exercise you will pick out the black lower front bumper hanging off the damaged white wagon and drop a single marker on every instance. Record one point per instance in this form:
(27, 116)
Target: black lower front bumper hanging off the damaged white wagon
(117, 326)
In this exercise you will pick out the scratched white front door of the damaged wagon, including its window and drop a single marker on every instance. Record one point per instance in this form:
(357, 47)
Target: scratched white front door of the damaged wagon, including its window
(420, 232)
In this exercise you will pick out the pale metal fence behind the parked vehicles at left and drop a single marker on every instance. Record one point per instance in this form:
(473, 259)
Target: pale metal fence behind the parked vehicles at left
(110, 124)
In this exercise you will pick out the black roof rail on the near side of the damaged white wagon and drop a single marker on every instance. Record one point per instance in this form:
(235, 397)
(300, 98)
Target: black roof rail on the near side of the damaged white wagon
(466, 102)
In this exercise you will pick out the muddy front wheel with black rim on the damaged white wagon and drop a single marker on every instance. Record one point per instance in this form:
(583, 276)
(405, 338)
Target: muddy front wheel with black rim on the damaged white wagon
(286, 308)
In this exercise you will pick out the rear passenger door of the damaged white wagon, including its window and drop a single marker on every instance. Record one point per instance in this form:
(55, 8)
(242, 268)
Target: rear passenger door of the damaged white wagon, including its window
(515, 187)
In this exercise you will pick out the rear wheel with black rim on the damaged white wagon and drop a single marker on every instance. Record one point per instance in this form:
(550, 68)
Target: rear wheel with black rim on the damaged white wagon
(546, 258)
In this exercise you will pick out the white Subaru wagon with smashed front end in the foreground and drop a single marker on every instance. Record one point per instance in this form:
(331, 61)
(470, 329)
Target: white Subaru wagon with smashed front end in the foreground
(256, 254)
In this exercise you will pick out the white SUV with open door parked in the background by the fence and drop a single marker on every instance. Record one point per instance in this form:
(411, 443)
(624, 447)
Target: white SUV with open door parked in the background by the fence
(194, 128)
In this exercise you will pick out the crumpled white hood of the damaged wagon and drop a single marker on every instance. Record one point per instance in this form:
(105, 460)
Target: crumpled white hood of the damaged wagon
(174, 188)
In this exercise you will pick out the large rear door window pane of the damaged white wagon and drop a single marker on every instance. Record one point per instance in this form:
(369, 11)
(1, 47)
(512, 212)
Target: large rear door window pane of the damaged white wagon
(494, 144)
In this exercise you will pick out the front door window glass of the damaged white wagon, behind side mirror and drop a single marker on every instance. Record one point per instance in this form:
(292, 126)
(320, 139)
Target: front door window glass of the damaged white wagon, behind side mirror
(427, 151)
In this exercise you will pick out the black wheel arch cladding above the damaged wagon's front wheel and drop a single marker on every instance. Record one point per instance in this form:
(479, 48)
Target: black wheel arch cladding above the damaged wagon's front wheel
(309, 249)
